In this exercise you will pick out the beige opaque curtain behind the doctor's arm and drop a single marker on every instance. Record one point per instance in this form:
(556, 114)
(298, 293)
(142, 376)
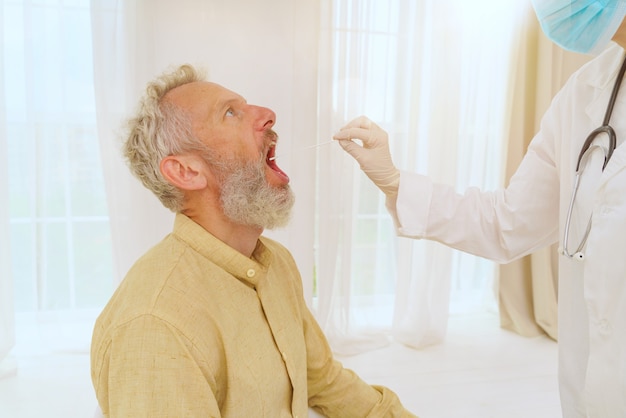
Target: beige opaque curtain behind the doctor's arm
(528, 288)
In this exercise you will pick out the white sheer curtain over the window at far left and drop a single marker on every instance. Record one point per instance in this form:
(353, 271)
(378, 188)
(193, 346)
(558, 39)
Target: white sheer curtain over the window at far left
(53, 211)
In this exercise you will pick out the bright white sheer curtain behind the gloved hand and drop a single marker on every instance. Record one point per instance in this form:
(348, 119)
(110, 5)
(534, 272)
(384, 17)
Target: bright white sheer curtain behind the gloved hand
(433, 74)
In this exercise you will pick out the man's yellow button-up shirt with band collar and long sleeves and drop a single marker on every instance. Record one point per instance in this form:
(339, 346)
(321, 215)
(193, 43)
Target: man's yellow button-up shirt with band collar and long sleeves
(197, 329)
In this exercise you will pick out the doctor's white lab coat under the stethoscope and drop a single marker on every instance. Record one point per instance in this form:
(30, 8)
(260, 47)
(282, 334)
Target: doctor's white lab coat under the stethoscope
(530, 214)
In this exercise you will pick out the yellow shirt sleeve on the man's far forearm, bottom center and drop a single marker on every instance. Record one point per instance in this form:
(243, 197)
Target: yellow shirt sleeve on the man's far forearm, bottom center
(338, 392)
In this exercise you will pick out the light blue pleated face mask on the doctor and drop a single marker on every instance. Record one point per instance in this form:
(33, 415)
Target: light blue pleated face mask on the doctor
(584, 26)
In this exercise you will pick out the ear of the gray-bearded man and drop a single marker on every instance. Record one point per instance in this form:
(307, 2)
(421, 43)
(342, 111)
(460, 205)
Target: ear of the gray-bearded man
(184, 171)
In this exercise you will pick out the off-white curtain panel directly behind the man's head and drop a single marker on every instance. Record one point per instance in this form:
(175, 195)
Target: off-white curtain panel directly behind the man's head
(267, 54)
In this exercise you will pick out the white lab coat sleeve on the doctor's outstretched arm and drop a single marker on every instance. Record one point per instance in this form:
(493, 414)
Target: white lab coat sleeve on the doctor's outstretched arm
(502, 225)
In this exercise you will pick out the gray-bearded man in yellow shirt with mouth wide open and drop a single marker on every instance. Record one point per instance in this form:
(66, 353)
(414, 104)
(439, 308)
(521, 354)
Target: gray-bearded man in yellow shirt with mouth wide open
(211, 322)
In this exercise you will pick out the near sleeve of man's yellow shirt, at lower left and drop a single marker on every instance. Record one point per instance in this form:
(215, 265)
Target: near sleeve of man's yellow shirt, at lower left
(149, 372)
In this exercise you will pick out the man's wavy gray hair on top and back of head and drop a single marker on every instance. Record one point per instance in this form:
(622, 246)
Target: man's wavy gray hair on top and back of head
(160, 129)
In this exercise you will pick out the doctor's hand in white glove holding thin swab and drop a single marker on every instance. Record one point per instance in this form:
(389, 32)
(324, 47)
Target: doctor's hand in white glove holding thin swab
(373, 156)
